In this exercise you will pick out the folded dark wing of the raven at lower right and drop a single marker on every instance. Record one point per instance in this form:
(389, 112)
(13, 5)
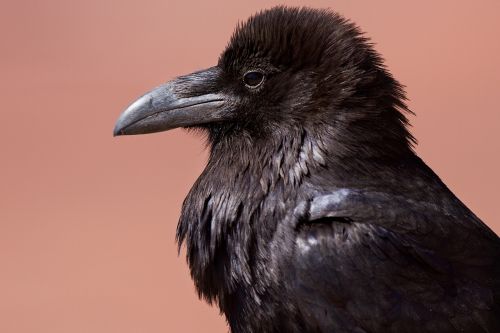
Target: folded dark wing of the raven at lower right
(392, 265)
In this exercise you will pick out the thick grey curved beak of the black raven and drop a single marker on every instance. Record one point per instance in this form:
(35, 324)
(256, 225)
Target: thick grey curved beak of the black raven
(186, 101)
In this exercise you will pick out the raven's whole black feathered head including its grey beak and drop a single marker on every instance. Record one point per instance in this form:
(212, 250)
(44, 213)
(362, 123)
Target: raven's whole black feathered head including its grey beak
(284, 70)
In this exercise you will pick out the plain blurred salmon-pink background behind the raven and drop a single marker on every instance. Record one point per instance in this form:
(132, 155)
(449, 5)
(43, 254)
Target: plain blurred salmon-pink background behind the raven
(87, 221)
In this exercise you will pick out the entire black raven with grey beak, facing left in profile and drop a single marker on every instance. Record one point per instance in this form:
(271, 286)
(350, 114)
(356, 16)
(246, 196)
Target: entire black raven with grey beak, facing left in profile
(313, 213)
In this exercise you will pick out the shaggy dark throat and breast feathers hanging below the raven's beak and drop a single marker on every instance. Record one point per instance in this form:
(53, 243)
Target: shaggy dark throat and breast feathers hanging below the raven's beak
(237, 193)
